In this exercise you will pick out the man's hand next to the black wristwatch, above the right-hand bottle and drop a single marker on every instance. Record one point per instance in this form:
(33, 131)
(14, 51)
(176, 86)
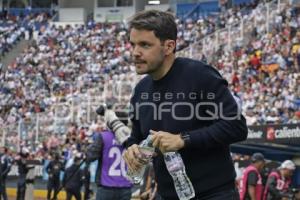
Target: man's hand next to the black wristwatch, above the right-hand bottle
(166, 141)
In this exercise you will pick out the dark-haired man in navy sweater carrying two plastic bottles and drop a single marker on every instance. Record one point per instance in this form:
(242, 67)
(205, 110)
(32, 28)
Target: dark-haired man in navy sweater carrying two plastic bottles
(188, 107)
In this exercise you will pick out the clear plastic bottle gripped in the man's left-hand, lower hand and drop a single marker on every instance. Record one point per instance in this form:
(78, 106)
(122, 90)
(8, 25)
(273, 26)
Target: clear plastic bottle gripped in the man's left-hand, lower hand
(147, 151)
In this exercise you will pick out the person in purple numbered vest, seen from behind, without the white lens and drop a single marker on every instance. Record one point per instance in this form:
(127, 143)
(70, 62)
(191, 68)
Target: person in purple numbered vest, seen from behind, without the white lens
(111, 170)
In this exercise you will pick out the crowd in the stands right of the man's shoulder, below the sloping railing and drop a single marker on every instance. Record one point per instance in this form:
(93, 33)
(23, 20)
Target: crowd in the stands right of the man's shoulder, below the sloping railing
(265, 72)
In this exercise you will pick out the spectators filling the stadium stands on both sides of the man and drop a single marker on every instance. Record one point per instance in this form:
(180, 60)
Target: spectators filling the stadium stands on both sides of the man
(75, 63)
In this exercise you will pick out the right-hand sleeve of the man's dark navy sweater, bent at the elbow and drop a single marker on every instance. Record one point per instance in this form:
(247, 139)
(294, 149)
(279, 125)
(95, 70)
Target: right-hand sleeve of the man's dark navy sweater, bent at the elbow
(228, 124)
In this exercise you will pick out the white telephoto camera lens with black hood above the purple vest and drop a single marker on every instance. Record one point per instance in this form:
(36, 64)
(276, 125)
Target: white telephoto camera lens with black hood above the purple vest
(114, 123)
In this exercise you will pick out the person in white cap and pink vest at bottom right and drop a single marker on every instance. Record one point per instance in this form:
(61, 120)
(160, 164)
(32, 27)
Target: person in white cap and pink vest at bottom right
(279, 182)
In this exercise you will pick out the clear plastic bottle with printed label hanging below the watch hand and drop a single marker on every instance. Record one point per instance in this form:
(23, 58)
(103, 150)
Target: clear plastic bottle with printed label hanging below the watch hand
(176, 168)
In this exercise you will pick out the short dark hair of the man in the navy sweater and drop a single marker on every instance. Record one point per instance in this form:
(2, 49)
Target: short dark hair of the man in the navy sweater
(161, 23)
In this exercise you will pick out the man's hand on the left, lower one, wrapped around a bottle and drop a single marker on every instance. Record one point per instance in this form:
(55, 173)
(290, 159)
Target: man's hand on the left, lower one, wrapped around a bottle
(133, 158)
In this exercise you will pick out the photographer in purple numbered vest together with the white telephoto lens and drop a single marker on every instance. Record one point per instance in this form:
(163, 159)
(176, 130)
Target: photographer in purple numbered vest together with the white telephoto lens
(107, 149)
